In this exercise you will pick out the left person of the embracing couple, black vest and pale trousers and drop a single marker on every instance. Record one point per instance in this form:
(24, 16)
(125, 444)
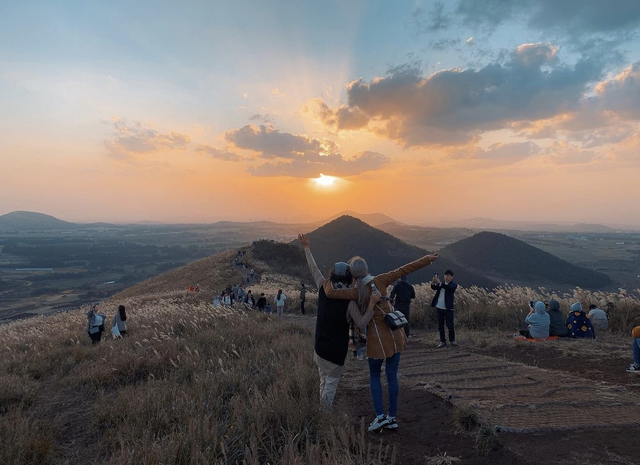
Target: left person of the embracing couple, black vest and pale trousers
(334, 317)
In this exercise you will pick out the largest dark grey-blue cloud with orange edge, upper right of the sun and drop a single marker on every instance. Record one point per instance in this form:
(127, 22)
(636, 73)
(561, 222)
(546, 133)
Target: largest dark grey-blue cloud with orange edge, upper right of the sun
(454, 106)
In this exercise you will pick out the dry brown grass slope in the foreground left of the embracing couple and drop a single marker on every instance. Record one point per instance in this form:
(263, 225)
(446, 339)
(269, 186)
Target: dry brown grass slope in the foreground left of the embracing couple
(190, 384)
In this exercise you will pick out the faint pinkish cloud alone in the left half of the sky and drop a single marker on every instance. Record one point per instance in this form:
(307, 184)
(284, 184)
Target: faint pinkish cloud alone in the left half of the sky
(130, 139)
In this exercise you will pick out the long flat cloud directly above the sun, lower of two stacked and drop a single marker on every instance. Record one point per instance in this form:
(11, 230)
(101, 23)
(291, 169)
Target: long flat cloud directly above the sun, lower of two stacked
(311, 165)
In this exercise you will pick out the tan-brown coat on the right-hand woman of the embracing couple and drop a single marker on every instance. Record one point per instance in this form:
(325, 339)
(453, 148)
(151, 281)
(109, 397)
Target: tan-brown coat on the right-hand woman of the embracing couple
(382, 341)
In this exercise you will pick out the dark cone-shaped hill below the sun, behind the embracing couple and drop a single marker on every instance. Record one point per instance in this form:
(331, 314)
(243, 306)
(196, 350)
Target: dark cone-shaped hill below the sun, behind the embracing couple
(347, 236)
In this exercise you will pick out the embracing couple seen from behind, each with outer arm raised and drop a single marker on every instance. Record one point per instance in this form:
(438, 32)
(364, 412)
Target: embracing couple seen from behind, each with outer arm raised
(350, 296)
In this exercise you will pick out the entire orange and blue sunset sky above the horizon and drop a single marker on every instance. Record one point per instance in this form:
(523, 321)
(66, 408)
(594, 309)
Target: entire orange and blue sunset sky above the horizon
(199, 111)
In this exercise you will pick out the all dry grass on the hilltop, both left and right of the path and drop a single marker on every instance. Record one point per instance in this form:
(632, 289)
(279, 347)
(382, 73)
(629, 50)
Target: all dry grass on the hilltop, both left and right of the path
(193, 384)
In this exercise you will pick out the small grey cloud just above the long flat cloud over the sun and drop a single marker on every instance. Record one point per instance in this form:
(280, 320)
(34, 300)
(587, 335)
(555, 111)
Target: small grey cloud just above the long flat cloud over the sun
(271, 143)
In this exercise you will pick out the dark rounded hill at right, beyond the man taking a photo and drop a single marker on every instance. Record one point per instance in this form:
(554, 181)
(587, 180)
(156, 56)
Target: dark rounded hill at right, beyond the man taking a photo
(505, 258)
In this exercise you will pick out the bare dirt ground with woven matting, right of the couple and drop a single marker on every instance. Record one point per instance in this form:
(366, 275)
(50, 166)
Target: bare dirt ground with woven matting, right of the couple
(571, 408)
